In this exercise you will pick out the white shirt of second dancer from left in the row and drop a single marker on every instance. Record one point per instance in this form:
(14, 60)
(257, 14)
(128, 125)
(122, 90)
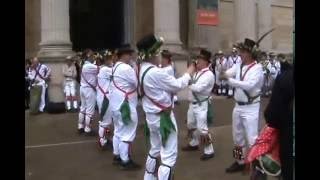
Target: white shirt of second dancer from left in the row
(104, 78)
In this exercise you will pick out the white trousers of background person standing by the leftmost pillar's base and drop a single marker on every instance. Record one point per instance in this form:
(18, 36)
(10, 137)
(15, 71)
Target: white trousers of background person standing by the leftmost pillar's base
(70, 93)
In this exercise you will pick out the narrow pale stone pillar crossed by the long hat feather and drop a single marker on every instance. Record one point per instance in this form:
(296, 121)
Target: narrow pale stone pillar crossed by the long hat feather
(265, 23)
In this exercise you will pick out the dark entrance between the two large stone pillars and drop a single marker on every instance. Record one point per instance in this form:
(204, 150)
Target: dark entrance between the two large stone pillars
(96, 24)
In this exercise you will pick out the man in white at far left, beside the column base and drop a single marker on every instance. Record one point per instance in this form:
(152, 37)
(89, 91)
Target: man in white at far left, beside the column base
(39, 75)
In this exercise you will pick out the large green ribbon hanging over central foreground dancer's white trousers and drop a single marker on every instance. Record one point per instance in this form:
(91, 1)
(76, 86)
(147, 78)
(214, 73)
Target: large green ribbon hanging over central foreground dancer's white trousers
(166, 126)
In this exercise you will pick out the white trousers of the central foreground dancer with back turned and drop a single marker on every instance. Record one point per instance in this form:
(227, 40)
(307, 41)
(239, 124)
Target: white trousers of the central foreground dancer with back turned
(168, 154)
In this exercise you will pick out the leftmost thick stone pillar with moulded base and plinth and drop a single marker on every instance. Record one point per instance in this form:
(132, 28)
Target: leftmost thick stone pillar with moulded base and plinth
(55, 43)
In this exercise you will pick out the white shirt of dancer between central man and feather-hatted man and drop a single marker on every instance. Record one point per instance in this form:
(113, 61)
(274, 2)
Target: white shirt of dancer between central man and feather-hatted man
(203, 86)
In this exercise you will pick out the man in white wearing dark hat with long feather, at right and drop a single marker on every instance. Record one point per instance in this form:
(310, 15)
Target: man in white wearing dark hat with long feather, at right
(247, 78)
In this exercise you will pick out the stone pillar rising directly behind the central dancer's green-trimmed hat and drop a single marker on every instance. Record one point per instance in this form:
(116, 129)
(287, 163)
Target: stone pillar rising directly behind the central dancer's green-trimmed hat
(166, 23)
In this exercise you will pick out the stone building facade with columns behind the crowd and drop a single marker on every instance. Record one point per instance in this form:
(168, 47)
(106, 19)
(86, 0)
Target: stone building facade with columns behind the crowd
(48, 28)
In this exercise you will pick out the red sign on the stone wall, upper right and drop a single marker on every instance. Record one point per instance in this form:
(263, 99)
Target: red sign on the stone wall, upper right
(207, 17)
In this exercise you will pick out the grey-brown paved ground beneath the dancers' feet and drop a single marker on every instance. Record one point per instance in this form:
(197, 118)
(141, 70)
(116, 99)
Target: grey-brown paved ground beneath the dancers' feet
(78, 157)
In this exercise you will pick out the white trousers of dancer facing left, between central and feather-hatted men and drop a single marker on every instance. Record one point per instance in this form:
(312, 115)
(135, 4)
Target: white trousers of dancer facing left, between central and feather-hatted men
(197, 121)
